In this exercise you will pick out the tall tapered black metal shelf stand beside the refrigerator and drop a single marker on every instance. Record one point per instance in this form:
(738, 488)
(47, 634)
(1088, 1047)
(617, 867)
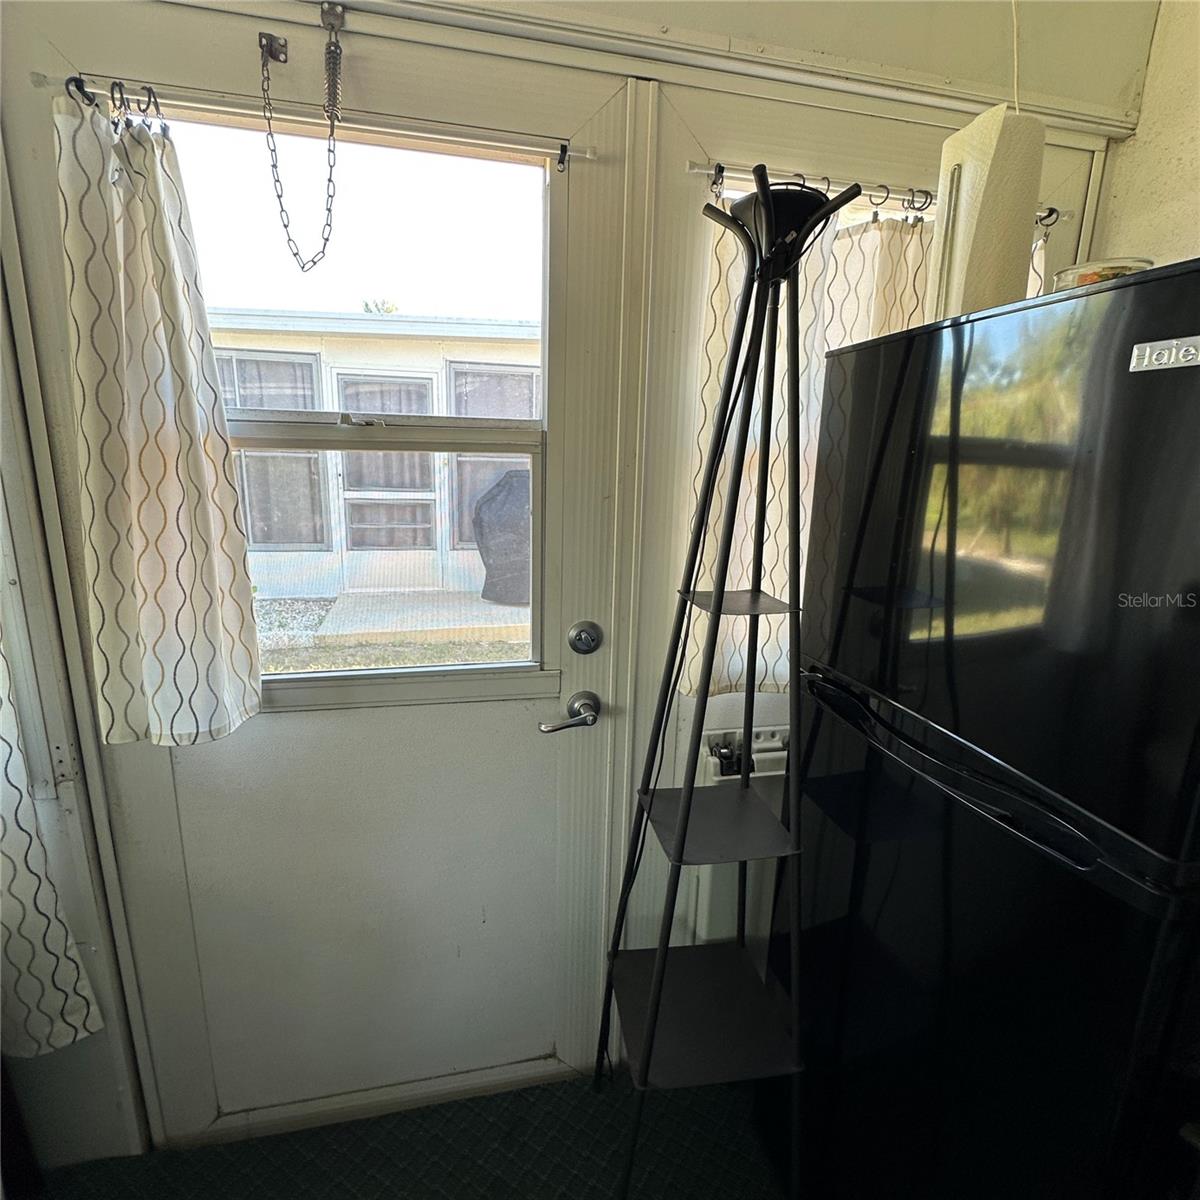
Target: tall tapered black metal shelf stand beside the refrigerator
(701, 1015)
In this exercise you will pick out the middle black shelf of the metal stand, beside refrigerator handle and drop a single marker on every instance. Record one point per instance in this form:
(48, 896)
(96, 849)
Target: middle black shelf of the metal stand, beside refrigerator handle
(728, 824)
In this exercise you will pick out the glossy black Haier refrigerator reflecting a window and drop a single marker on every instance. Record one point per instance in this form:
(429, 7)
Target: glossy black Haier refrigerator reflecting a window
(1001, 755)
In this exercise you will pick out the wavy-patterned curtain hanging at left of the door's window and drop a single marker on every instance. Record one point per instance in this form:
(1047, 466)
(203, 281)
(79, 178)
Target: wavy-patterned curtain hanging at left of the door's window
(175, 646)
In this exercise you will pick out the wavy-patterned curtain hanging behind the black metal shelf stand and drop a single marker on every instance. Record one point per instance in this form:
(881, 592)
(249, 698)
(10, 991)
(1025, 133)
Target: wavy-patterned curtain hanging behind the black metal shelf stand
(859, 283)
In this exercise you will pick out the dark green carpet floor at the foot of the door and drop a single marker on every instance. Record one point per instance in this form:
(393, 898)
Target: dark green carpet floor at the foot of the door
(559, 1141)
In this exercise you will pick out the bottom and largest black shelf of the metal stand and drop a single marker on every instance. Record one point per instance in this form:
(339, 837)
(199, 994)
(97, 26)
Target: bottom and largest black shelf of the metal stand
(718, 1023)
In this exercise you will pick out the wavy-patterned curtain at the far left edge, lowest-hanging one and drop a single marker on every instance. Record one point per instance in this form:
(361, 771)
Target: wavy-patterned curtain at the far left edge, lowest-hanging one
(49, 1003)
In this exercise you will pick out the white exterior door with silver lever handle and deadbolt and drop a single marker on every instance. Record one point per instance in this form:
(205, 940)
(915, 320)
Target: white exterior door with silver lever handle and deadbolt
(389, 889)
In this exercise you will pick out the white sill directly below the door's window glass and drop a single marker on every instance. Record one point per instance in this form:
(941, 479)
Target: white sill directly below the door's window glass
(411, 686)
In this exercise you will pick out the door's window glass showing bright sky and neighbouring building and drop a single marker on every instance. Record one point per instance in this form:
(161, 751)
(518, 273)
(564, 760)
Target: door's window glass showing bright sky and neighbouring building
(364, 559)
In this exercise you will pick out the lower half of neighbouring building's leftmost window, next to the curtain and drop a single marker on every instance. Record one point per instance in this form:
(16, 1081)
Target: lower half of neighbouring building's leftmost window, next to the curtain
(284, 500)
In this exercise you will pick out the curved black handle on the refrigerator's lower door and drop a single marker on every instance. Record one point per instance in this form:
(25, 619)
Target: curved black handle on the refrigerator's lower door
(1075, 849)
